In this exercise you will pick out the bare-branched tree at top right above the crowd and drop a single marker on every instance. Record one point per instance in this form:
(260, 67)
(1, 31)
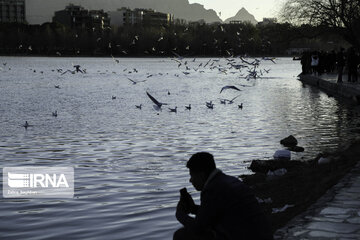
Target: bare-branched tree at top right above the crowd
(343, 15)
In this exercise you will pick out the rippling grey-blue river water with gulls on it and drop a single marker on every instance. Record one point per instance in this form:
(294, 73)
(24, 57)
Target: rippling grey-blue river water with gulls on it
(130, 163)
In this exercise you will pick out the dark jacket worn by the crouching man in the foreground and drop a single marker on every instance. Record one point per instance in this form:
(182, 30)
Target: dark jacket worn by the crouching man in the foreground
(229, 208)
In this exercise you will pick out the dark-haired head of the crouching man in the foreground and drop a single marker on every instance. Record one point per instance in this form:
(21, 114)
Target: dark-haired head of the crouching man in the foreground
(200, 165)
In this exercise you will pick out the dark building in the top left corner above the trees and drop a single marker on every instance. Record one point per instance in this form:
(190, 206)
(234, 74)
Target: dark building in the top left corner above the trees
(12, 11)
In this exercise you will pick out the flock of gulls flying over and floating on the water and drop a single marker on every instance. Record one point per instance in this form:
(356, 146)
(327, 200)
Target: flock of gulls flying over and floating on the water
(234, 65)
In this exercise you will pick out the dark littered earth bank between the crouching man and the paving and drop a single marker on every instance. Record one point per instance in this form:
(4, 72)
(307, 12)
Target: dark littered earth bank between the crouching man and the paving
(287, 196)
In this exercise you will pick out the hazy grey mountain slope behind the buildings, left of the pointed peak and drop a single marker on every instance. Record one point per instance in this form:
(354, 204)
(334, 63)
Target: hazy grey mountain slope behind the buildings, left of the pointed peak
(40, 11)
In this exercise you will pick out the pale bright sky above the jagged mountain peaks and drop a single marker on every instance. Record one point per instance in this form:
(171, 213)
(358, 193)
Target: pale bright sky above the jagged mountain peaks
(228, 8)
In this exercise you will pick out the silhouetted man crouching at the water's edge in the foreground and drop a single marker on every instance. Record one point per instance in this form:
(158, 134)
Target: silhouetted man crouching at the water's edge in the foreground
(228, 209)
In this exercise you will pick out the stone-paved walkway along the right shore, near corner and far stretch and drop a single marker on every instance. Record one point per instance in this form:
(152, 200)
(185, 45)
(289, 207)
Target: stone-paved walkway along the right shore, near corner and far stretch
(336, 215)
